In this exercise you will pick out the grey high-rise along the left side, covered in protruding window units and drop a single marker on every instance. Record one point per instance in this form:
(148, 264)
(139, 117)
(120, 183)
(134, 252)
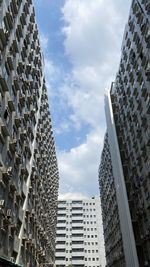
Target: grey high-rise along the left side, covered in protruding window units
(28, 164)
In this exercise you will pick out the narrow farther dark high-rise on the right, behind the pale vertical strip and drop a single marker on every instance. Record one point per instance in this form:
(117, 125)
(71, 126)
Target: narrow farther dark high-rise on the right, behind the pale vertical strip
(111, 222)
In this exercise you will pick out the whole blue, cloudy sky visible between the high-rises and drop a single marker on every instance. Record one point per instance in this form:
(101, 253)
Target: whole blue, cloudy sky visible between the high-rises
(81, 42)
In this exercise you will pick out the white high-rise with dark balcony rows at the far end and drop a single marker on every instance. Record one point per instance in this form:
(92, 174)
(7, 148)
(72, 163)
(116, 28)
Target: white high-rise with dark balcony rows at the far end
(79, 239)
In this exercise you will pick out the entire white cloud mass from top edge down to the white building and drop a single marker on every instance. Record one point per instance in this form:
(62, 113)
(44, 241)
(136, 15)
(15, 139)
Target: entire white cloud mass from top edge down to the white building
(93, 34)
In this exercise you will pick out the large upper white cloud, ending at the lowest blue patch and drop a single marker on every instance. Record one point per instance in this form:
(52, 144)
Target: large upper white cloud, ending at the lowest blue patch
(93, 35)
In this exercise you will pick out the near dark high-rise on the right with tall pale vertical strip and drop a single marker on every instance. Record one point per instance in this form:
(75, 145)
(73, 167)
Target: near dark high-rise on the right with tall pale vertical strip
(127, 109)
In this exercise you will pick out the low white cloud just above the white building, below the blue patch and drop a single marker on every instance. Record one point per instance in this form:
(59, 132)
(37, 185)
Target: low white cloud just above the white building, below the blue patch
(78, 167)
